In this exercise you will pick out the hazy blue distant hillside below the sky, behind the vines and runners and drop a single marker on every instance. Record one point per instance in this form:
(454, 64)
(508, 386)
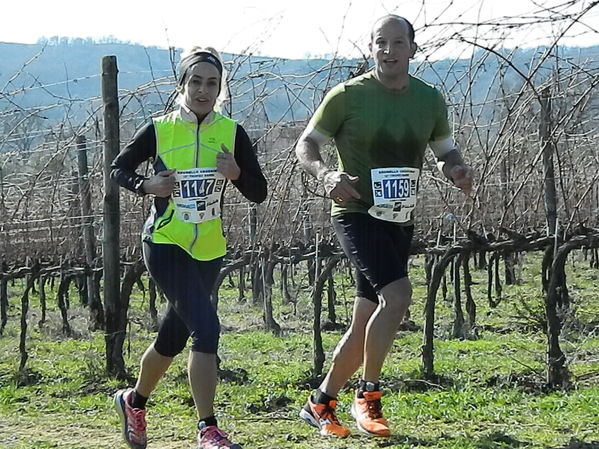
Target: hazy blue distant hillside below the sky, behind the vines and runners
(62, 71)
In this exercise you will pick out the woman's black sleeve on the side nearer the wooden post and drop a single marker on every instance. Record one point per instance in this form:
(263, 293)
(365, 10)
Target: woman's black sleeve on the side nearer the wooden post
(140, 149)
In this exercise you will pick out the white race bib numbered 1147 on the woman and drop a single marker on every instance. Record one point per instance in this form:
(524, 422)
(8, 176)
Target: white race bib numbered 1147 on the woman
(197, 194)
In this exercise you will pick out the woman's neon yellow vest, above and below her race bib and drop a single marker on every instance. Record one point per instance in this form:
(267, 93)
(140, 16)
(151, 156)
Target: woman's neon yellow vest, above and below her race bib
(183, 145)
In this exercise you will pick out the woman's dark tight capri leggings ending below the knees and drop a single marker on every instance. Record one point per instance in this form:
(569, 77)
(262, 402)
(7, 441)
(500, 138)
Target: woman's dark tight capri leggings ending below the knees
(187, 284)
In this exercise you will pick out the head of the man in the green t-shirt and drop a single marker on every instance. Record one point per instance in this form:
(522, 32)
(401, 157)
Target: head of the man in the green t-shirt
(391, 47)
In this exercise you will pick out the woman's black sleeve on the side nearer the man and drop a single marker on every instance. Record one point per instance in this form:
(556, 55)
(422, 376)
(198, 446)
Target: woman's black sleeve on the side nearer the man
(251, 182)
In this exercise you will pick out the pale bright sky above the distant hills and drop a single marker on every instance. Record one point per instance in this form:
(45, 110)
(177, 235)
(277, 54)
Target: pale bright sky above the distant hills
(302, 28)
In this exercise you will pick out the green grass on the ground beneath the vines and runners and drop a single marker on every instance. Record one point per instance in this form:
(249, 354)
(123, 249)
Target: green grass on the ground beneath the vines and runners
(489, 395)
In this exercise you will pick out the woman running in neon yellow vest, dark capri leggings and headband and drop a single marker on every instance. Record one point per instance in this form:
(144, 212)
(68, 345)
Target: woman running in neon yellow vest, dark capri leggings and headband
(195, 152)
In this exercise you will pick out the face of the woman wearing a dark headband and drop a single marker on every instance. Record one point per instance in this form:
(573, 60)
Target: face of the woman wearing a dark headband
(201, 88)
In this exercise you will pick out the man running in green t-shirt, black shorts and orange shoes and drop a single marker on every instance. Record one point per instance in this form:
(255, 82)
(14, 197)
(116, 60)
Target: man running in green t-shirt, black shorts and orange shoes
(381, 123)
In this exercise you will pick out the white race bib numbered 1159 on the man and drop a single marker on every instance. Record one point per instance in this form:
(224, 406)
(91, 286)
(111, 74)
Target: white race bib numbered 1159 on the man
(394, 192)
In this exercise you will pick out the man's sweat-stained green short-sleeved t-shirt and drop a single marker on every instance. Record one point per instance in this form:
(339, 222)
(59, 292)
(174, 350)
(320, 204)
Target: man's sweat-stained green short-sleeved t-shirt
(375, 127)
